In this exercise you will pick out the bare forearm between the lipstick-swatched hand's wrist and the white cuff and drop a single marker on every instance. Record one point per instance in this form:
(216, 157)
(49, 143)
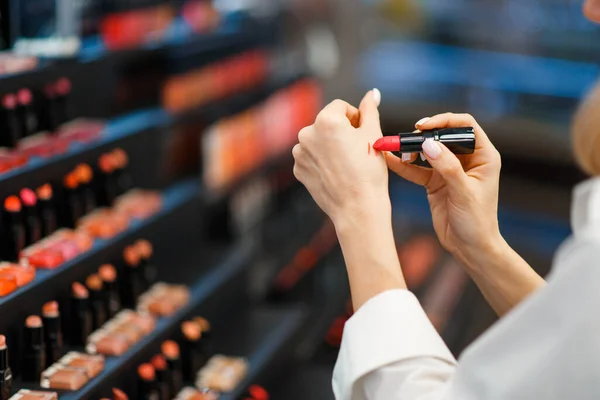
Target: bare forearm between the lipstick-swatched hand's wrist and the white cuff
(369, 249)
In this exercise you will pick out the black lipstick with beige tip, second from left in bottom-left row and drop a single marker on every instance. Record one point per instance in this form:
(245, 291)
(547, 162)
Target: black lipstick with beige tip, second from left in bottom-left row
(34, 353)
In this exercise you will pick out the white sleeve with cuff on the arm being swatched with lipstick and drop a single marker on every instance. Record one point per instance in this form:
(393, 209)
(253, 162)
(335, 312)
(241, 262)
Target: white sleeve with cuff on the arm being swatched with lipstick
(390, 346)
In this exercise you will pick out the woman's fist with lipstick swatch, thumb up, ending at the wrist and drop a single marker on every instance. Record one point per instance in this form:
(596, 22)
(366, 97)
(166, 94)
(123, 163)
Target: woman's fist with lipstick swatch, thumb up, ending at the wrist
(336, 162)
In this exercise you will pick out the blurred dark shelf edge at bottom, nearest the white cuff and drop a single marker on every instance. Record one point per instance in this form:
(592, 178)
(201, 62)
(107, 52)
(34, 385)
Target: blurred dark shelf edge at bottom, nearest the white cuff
(267, 335)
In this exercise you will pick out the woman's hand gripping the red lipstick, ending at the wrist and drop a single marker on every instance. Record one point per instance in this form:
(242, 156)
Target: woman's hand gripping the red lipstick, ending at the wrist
(462, 190)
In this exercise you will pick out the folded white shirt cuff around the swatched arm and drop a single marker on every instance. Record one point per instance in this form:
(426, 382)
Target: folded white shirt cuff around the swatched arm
(388, 328)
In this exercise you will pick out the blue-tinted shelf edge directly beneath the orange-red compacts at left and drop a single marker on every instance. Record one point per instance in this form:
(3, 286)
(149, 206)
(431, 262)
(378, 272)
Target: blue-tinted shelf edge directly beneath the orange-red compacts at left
(48, 284)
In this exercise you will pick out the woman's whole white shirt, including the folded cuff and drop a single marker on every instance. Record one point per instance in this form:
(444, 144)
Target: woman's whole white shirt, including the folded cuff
(548, 347)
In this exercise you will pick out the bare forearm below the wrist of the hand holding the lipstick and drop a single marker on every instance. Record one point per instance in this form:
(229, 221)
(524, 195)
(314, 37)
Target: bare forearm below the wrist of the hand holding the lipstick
(503, 277)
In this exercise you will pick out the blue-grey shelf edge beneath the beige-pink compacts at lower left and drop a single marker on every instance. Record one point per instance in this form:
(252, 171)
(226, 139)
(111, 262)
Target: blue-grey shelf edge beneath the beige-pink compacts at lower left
(207, 286)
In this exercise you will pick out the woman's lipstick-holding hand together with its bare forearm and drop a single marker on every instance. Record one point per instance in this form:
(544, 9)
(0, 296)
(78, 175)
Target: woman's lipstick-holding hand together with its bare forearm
(463, 197)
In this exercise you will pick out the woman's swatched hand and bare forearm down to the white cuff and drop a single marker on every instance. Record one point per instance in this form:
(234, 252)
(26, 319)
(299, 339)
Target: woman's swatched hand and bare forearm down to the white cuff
(349, 181)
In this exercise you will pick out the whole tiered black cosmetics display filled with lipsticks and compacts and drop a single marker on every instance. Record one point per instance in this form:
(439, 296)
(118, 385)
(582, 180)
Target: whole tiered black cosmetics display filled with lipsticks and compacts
(155, 241)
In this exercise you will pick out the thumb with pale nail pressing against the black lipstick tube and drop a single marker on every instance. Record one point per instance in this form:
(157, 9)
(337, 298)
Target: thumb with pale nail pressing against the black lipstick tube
(446, 164)
